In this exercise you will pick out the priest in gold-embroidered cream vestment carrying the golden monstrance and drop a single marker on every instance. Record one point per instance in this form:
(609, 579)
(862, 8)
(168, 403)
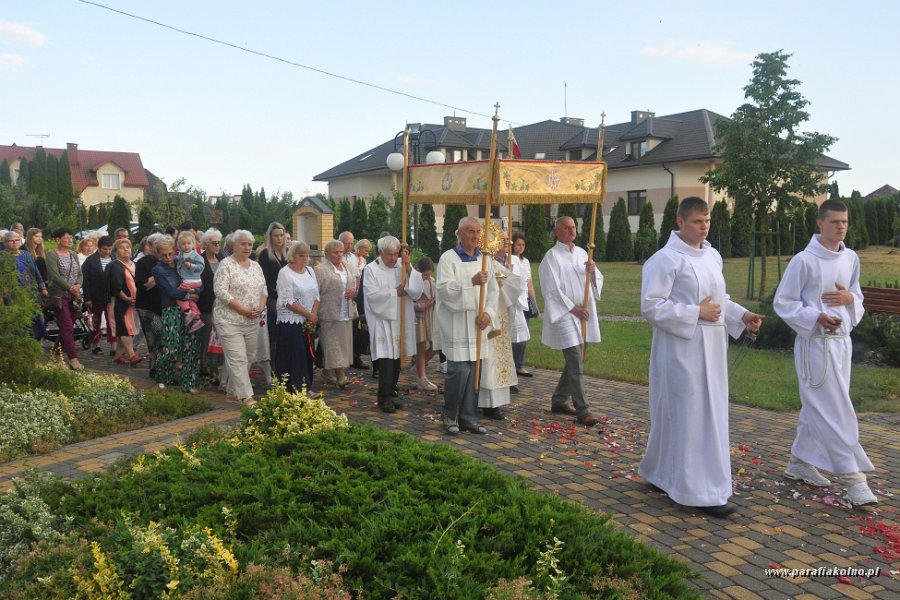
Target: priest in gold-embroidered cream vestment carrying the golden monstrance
(498, 378)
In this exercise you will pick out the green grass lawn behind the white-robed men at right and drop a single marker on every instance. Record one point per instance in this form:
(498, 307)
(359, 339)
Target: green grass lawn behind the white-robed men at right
(625, 352)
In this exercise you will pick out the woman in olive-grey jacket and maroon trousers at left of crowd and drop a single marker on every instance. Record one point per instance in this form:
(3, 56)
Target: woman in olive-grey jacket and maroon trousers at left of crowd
(65, 278)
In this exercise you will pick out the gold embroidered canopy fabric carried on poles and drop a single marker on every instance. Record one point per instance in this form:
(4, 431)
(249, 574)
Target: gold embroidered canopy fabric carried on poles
(518, 182)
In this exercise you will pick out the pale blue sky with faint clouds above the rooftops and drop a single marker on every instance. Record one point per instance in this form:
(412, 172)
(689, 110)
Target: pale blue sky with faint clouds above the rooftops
(221, 117)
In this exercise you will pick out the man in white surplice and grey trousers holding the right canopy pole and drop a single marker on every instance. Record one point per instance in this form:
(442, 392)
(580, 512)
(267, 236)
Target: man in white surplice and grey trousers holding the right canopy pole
(563, 274)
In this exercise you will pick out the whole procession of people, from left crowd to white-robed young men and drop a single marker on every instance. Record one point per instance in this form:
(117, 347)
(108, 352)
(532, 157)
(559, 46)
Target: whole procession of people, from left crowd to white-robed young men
(214, 306)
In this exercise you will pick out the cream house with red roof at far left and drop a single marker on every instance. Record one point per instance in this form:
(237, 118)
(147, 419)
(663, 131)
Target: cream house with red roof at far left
(98, 176)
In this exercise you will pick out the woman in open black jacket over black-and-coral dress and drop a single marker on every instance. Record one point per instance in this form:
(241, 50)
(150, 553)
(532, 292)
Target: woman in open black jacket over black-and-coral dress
(123, 291)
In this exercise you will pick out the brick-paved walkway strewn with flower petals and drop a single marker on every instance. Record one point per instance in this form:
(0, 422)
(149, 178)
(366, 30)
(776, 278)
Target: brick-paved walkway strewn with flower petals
(779, 524)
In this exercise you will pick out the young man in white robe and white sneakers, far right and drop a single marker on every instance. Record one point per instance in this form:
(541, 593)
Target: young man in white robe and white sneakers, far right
(821, 300)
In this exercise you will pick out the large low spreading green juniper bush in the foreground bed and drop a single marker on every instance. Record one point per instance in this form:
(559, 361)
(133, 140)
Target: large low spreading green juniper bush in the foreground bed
(396, 516)
